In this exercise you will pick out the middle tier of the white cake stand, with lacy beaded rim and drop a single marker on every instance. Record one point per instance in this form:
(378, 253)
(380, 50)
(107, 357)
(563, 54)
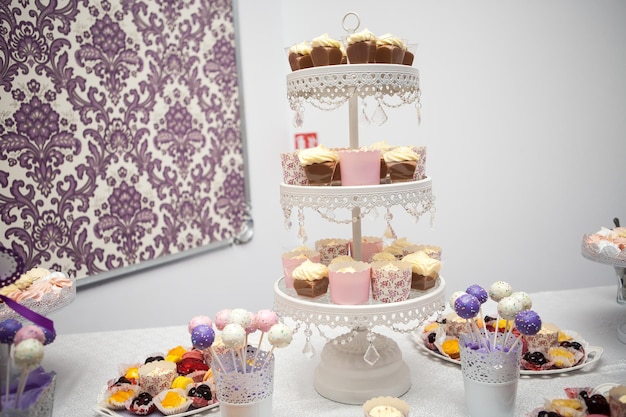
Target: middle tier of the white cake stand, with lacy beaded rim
(414, 196)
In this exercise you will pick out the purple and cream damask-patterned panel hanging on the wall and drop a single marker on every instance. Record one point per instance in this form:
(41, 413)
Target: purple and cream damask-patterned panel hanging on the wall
(120, 135)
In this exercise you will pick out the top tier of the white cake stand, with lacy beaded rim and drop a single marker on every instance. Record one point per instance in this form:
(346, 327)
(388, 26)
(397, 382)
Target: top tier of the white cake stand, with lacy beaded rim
(329, 87)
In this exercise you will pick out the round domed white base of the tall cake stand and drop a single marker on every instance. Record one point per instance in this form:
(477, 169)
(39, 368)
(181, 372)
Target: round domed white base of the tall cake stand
(344, 374)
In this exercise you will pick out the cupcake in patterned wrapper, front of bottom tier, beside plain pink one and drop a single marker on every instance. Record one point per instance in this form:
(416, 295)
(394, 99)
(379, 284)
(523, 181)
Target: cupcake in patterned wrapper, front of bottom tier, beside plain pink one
(391, 281)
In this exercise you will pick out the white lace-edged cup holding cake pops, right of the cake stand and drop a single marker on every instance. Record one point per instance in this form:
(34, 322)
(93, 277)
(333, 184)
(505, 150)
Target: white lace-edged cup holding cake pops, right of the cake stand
(489, 378)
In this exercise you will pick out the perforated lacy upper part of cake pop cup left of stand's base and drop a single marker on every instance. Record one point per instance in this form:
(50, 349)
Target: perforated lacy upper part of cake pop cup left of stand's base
(235, 387)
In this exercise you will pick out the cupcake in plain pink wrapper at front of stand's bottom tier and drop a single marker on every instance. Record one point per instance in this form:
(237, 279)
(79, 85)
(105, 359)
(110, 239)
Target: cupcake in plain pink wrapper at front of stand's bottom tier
(349, 282)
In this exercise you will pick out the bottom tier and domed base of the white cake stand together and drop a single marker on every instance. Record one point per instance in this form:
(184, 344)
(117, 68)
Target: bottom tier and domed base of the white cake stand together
(359, 364)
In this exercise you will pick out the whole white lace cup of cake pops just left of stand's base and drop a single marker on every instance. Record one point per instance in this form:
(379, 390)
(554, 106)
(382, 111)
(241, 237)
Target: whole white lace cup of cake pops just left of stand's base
(246, 394)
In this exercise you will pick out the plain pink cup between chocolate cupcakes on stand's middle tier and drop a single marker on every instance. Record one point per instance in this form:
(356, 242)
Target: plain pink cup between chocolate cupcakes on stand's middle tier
(359, 167)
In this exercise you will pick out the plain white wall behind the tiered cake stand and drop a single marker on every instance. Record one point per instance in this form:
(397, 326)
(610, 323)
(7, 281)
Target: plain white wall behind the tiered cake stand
(523, 116)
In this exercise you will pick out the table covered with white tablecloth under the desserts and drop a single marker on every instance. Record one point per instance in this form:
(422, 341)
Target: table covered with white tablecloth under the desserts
(84, 362)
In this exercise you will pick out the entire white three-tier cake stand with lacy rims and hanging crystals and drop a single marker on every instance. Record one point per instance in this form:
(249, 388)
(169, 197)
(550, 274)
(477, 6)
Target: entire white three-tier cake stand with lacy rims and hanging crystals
(359, 364)
